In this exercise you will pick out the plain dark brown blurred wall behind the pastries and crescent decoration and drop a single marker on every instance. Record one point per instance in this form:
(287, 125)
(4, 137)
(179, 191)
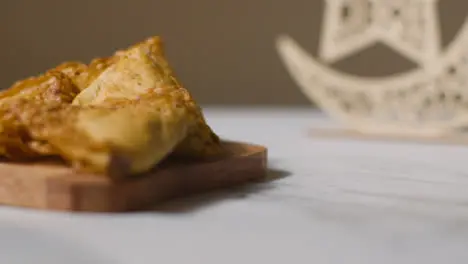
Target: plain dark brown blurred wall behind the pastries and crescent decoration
(223, 50)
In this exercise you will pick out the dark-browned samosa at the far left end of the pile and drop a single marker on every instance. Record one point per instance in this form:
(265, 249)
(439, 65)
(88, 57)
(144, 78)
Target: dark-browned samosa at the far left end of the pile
(52, 88)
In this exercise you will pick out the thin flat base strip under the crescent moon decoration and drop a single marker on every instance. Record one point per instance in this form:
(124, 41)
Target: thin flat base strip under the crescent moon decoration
(455, 139)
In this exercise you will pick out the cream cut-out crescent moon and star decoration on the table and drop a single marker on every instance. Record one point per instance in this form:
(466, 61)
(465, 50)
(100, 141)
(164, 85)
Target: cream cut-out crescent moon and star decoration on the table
(431, 100)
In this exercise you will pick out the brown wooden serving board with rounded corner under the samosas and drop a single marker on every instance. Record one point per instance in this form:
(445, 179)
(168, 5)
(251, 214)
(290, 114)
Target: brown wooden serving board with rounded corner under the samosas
(57, 187)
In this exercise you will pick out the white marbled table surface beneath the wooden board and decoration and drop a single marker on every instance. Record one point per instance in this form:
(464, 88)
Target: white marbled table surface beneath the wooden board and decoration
(335, 201)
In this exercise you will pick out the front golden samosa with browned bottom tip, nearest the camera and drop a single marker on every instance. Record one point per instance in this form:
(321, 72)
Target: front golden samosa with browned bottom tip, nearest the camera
(117, 138)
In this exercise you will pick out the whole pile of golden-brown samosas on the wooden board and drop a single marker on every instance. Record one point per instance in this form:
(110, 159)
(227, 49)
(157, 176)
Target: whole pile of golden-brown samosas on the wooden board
(125, 109)
